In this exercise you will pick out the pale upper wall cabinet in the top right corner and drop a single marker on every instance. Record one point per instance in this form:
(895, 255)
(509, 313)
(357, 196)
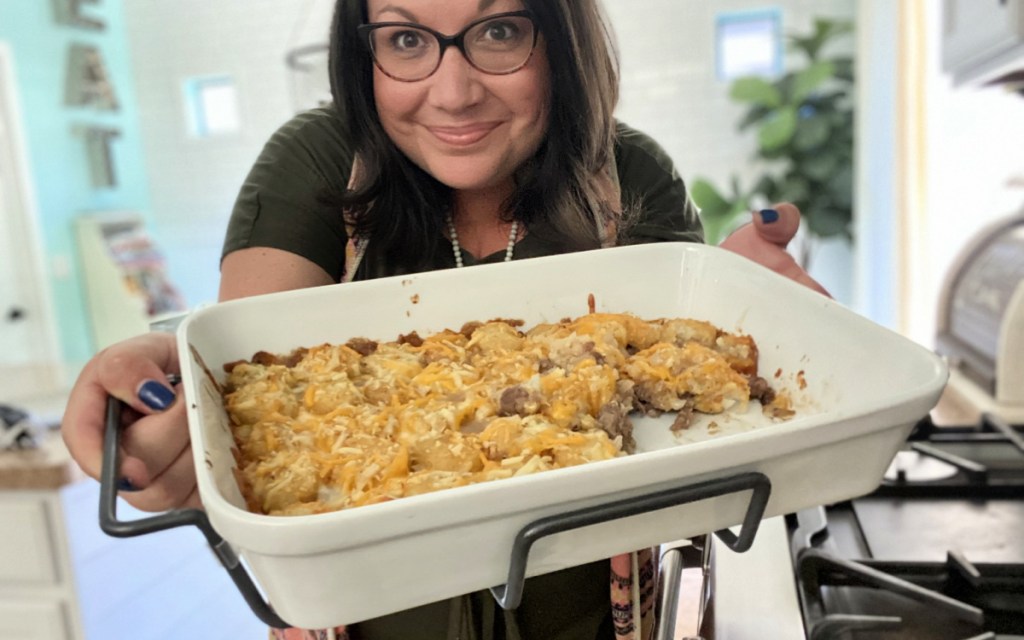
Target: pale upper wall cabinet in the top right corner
(983, 40)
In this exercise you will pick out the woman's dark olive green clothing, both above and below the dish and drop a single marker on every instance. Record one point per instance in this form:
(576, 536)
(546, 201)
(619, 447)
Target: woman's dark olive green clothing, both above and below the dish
(281, 206)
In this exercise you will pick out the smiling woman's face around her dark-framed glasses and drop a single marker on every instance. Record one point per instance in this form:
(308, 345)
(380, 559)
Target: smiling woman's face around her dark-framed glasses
(470, 130)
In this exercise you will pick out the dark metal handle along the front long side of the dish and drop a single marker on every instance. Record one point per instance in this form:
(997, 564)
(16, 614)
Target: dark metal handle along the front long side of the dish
(509, 595)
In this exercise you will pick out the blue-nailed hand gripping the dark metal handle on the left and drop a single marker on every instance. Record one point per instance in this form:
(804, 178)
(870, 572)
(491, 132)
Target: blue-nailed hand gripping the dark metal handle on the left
(157, 472)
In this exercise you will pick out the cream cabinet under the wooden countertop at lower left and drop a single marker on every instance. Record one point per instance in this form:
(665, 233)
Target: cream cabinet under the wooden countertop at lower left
(37, 590)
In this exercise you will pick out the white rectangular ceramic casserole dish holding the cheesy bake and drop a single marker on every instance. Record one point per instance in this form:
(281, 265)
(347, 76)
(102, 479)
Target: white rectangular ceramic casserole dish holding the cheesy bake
(859, 390)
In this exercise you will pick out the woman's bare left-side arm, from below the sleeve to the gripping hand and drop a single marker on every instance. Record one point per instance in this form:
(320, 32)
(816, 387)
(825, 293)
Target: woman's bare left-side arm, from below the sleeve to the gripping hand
(157, 471)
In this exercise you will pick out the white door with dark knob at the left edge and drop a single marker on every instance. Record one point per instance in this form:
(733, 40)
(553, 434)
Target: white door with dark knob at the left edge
(28, 352)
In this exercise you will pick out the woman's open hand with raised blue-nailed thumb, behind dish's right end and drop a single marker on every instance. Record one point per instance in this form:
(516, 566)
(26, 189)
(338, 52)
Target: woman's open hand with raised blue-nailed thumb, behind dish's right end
(764, 241)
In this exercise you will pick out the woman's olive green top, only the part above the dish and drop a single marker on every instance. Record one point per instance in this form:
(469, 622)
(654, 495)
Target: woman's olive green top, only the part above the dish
(281, 204)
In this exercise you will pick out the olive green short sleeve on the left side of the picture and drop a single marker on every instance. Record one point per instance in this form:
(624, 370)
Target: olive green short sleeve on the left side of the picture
(286, 201)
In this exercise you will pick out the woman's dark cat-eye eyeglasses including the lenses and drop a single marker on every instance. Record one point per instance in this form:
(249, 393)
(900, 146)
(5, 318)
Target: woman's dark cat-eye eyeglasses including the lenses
(497, 45)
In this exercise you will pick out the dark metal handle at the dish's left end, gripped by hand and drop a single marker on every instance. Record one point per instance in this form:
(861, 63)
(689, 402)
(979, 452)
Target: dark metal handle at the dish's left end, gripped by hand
(181, 518)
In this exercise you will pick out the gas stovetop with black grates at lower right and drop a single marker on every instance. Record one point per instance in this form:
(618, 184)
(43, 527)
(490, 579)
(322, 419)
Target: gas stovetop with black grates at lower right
(936, 553)
